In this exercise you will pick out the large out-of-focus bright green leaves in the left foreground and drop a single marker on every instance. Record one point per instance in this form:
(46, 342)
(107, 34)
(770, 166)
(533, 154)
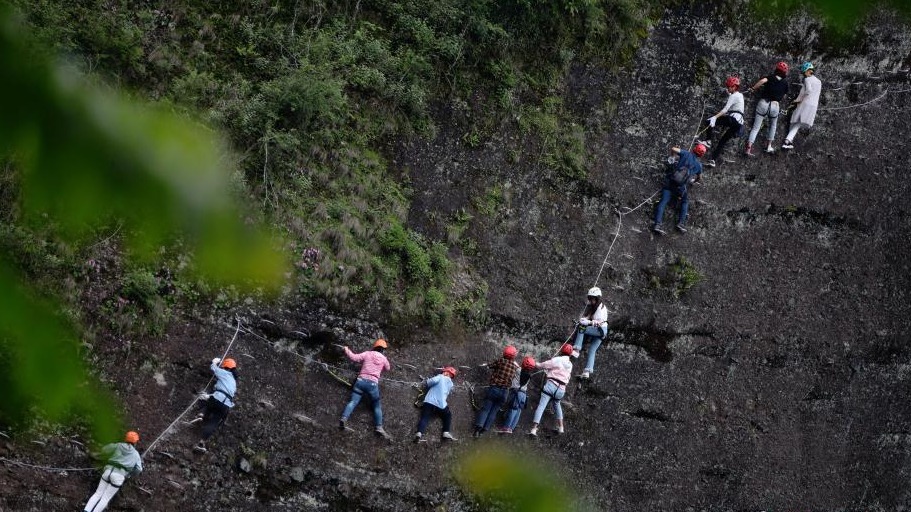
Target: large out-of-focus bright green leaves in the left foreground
(80, 154)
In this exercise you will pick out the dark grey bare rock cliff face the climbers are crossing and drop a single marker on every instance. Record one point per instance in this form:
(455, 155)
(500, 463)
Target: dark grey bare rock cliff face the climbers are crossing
(757, 362)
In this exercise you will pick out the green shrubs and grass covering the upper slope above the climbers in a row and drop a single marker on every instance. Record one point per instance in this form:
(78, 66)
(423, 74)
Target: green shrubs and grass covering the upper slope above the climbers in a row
(311, 92)
